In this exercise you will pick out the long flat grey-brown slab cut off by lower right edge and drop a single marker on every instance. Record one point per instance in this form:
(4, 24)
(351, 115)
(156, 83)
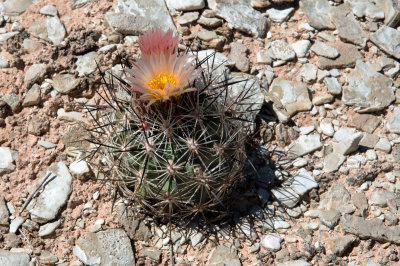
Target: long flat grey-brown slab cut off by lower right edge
(370, 229)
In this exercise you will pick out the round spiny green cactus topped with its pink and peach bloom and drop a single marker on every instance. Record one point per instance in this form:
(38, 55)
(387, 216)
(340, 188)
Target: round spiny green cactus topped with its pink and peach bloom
(170, 131)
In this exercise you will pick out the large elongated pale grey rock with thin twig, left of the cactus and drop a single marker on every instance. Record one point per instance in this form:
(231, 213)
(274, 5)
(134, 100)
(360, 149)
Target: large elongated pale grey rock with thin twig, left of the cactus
(47, 205)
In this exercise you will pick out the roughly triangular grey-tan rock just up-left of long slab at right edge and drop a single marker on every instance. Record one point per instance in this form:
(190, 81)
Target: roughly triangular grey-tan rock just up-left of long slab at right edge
(337, 198)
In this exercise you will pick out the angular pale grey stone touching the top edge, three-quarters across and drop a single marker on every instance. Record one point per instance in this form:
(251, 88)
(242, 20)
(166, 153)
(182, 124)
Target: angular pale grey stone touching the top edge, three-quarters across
(312, 9)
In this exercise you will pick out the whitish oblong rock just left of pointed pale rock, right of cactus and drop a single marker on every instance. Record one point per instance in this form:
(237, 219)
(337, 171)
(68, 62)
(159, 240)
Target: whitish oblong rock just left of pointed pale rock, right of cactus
(305, 144)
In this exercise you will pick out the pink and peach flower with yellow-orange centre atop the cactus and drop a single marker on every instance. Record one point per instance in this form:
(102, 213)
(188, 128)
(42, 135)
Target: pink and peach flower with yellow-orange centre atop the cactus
(161, 73)
